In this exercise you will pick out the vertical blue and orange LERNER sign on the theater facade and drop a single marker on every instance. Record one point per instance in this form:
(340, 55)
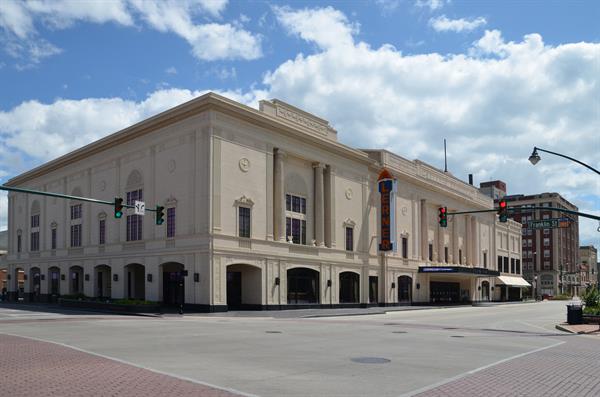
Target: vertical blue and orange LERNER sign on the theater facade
(387, 192)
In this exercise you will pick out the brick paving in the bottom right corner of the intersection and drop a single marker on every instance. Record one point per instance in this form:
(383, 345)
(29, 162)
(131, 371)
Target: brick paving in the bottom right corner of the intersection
(570, 369)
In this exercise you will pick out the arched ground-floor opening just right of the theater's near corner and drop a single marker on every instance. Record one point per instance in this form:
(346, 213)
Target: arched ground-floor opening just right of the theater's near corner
(244, 287)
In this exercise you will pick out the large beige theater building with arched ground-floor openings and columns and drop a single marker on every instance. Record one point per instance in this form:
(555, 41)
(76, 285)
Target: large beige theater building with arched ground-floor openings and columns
(264, 209)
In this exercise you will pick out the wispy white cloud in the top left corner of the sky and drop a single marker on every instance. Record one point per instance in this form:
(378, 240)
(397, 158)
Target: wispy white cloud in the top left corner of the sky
(209, 41)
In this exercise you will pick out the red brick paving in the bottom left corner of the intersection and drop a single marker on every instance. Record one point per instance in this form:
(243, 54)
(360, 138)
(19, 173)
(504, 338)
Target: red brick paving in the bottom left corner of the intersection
(31, 368)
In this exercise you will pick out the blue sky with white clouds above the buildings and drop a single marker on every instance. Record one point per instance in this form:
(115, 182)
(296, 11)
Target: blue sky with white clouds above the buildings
(494, 78)
